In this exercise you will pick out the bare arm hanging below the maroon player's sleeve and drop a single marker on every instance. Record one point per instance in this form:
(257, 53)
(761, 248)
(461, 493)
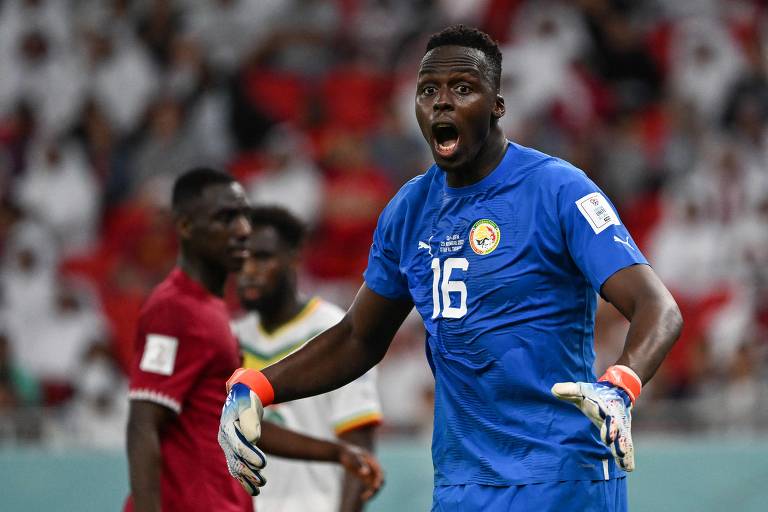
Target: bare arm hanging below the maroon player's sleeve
(146, 422)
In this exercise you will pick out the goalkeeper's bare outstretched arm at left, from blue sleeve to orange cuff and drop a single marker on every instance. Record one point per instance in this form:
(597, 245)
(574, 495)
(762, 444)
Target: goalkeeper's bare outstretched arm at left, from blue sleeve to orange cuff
(342, 353)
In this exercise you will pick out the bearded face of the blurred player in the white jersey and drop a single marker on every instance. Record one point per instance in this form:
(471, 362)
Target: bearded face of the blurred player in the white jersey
(267, 274)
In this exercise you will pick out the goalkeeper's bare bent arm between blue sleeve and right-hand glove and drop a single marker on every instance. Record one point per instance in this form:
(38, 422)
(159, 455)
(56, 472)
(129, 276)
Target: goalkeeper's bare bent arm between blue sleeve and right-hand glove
(655, 319)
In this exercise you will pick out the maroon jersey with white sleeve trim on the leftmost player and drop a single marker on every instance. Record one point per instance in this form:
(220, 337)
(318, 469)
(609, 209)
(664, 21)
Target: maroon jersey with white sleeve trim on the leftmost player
(185, 351)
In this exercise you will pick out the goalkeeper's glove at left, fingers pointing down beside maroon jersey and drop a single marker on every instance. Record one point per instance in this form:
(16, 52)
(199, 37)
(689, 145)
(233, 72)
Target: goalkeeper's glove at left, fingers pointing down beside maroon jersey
(240, 427)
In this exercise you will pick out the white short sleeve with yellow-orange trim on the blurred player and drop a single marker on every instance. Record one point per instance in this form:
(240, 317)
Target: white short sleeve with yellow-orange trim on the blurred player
(356, 404)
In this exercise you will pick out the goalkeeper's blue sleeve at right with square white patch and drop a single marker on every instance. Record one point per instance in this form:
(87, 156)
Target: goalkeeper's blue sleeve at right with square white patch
(598, 242)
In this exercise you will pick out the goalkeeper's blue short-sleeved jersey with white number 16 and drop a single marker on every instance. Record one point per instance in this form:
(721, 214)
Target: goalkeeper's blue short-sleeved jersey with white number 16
(504, 273)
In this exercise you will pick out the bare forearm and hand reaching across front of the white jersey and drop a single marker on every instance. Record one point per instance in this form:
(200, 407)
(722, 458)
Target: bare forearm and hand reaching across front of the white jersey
(363, 476)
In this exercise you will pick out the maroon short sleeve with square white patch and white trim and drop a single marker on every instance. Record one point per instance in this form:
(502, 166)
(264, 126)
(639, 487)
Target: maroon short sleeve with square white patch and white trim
(168, 360)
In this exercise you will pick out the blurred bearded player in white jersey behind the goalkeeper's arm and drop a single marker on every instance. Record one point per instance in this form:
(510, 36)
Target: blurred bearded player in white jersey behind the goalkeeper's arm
(279, 321)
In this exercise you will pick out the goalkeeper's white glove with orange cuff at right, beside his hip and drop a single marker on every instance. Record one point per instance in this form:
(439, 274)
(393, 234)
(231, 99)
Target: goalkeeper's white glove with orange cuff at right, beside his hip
(608, 404)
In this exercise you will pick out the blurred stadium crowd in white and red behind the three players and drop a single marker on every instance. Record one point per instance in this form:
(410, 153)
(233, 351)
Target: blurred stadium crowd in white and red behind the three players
(309, 103)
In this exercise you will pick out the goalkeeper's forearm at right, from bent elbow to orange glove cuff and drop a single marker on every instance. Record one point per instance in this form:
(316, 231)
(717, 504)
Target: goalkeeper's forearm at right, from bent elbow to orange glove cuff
(654, 327)
